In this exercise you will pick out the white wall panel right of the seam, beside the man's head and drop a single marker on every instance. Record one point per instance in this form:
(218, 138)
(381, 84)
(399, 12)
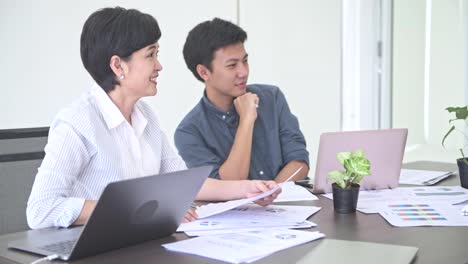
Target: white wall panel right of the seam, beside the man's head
(297, 46)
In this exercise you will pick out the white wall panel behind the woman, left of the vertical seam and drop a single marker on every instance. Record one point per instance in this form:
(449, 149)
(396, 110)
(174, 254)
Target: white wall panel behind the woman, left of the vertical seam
(41, 67)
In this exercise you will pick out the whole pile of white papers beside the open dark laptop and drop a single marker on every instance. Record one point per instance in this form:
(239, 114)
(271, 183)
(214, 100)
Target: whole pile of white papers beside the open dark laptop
(237, 231)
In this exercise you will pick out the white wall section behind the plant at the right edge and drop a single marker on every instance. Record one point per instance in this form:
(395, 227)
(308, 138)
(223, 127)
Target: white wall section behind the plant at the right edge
(447, 71)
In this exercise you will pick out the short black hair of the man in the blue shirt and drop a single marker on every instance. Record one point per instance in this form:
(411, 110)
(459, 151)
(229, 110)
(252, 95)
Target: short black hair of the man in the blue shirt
(206, 38)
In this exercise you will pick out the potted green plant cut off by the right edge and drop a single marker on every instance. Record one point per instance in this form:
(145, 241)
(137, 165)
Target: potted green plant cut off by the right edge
(461, 115)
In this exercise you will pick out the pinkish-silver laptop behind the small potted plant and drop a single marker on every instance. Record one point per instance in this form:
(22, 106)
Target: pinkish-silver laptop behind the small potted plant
(384, 148)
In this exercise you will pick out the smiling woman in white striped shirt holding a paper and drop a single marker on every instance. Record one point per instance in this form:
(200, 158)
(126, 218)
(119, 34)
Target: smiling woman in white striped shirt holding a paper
(109, 134)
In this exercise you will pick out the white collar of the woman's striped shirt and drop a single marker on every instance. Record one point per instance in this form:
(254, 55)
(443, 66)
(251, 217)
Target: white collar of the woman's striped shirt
(112, 115)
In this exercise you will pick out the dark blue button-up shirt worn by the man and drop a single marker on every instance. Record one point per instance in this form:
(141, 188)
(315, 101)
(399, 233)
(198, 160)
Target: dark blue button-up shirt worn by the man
(206, 134)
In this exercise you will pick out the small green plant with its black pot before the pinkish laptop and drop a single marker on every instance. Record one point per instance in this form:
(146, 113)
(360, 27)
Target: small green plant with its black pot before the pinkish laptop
(346, 182)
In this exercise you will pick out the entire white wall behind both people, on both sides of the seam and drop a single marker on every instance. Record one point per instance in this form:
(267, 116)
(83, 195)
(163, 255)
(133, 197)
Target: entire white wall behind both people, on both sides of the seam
(293, 44)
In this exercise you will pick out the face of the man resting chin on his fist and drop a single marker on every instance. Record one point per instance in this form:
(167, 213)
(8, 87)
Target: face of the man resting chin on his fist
(230, 71)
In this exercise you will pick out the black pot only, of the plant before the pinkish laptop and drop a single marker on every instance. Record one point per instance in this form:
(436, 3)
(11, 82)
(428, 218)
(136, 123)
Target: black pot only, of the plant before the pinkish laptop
(345, 200)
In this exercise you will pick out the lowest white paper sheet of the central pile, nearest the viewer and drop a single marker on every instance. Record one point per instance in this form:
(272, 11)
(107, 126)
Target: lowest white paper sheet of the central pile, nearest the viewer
(243, 247)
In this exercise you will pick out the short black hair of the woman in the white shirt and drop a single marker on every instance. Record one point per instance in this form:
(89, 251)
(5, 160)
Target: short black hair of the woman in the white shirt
(114, 31)
